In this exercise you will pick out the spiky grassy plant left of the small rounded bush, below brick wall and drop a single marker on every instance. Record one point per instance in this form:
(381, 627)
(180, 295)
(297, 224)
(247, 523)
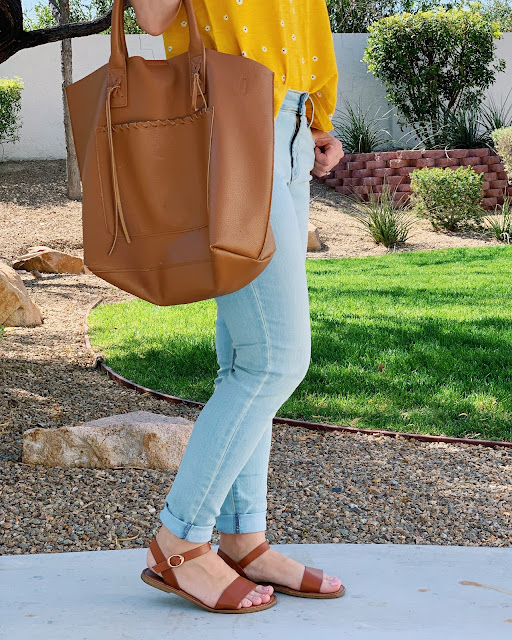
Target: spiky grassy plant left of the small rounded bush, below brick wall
(387, 222)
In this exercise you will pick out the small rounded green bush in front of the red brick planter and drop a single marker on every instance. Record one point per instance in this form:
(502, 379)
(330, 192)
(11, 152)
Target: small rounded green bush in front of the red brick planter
(449, 198)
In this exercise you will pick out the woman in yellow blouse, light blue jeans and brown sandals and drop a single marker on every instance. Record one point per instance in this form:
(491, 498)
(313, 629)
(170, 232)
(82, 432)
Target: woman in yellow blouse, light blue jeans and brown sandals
(262, 330)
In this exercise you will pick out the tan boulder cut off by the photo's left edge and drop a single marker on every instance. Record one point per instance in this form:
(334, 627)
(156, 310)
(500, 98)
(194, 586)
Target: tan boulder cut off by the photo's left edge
(16, 307)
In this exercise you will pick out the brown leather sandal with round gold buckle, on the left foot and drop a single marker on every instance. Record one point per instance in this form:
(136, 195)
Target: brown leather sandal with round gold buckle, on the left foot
(228, 600)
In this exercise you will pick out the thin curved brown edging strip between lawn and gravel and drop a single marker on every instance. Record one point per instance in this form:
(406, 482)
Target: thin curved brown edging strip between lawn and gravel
(99, 363)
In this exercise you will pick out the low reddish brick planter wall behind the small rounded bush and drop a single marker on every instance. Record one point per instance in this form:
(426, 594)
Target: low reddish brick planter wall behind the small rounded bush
(359, 172)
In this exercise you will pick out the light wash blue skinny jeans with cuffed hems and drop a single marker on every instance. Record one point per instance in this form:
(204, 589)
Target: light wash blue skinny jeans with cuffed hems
(263, 343)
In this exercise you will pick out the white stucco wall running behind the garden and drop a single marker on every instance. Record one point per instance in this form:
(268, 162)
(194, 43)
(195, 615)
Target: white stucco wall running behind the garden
(42, 131)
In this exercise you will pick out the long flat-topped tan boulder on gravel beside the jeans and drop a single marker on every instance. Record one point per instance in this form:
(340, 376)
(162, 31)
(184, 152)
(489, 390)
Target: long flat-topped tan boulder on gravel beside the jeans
(137, 439)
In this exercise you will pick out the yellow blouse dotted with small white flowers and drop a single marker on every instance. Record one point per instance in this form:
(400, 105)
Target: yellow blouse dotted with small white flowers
(291, 37)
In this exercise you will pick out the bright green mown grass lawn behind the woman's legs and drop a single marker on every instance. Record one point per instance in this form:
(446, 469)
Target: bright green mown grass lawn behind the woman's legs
(418, 341)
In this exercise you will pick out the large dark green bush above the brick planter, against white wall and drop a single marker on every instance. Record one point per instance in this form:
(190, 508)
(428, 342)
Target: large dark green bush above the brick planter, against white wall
(433, 61)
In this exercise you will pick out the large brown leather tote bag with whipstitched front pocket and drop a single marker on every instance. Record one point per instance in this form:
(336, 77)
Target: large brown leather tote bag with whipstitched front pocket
(176, 160)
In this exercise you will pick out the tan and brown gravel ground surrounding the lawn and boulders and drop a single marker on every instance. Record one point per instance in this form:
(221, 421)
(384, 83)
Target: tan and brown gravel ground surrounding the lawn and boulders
(351, 487)
